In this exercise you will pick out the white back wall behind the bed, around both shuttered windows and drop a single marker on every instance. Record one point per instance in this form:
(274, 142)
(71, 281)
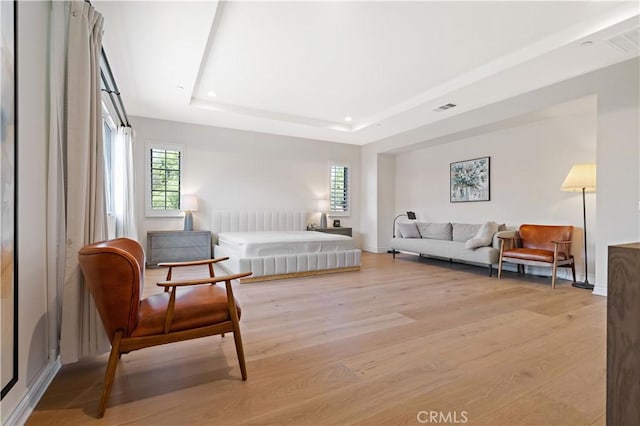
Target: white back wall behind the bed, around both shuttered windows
(234, 169)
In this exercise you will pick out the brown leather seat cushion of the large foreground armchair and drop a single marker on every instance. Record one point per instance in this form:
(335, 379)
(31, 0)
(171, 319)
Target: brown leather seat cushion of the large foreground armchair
(196, 306)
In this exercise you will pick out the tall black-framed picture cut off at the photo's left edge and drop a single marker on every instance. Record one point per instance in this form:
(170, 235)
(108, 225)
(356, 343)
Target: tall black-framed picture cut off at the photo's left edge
(8, 199)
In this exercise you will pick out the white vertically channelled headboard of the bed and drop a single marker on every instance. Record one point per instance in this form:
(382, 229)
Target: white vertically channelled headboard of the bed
(258, 220)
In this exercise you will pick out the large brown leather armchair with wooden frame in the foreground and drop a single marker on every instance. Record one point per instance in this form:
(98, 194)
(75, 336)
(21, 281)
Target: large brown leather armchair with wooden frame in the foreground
(114, 272)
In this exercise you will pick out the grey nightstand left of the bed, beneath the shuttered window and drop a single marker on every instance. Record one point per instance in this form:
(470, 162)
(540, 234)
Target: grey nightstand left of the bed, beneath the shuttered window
(177, 246)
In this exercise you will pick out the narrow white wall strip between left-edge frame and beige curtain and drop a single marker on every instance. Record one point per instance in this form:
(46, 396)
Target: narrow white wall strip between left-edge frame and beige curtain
(32, 138)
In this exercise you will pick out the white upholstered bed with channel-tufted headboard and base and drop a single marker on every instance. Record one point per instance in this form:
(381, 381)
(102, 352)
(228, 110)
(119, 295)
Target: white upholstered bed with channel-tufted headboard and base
(274, 245)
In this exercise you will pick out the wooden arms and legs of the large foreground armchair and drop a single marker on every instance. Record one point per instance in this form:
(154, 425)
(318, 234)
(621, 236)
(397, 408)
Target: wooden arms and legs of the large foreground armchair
(122, 345)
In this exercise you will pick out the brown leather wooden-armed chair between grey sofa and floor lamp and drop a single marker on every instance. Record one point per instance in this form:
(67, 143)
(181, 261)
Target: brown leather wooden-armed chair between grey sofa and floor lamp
(539, 245)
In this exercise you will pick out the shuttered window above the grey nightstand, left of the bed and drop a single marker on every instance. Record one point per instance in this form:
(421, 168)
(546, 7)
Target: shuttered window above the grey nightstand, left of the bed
(164, 179)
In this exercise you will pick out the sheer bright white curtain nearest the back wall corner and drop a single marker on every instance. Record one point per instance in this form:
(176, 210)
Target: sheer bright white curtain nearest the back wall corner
(123, 191)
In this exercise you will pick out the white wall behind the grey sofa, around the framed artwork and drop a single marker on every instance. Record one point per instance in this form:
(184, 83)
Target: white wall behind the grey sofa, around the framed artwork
(528, 164)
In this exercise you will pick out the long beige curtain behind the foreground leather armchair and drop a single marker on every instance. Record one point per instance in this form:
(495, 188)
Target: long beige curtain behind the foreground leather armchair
(76, 174)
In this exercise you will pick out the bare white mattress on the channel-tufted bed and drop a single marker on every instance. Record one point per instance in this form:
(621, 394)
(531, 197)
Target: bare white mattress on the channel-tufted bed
(273, 243)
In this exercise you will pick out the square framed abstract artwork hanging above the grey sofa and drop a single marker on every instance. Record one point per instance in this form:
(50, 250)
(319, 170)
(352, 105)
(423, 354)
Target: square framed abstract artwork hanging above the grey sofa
(469, 180)
